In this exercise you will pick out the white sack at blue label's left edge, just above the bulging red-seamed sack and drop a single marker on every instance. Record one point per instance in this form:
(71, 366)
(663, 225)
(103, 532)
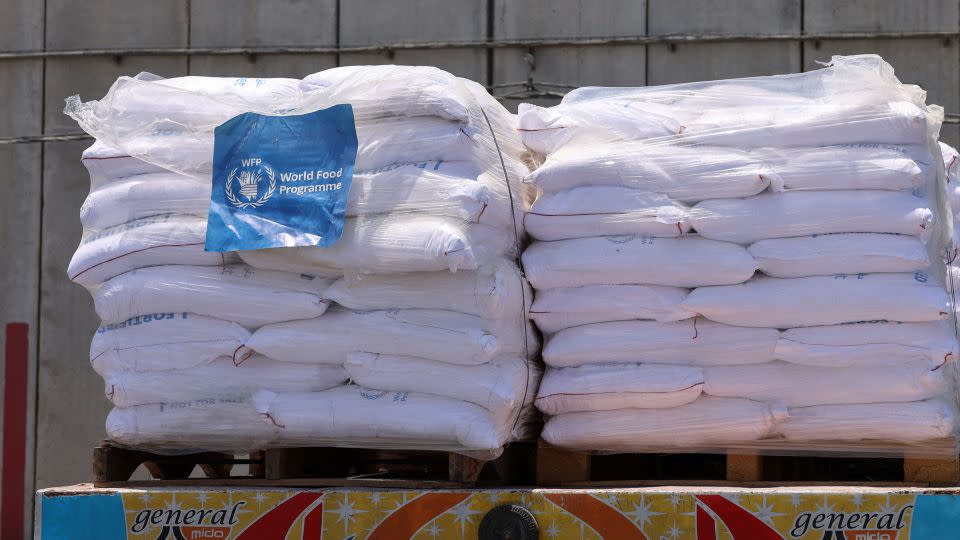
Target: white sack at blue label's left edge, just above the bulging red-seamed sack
(144, 195)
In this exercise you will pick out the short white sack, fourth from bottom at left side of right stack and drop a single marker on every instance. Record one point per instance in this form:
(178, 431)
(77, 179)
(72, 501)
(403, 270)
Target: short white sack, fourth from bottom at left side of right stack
(556, 309)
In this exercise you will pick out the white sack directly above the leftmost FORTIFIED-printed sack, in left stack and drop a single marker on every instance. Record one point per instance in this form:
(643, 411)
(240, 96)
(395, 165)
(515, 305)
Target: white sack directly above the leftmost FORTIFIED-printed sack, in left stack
(240, 293)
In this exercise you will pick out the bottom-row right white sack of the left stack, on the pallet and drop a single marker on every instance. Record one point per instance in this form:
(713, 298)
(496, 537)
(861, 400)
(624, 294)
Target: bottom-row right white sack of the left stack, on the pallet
(356, 415)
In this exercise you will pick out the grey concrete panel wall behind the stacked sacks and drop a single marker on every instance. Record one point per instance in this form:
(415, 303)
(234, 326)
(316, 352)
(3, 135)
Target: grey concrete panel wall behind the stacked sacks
(43, 184)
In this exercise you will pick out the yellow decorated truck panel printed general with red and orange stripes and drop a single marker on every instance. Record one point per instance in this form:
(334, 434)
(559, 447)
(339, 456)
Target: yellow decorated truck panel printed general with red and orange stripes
(197, 514)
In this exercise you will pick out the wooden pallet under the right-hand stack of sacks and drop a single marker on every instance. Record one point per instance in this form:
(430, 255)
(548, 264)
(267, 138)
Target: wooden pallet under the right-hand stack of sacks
(741, 467)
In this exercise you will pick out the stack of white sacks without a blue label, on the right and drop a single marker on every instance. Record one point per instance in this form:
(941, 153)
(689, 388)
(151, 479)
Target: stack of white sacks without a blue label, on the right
(744, 262)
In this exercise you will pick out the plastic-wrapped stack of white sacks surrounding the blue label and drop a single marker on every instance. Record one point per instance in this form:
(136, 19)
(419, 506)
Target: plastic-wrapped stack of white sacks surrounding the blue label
(409, 332)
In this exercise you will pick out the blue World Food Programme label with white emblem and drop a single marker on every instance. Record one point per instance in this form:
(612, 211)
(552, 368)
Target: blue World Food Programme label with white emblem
(281, 180)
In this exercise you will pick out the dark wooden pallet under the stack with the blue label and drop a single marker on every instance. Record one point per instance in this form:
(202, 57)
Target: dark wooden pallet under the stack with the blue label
(320, 467)
